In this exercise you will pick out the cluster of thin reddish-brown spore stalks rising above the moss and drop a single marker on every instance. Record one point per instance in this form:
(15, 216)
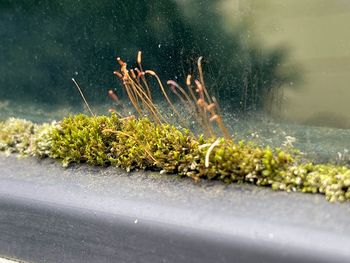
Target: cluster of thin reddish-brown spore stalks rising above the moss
(205, 108)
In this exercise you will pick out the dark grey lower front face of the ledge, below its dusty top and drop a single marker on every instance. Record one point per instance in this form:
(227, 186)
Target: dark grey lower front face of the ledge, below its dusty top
(41, 232)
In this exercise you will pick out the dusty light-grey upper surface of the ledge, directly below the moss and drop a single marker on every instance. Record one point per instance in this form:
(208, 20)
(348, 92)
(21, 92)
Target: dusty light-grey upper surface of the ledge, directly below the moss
(279, 217)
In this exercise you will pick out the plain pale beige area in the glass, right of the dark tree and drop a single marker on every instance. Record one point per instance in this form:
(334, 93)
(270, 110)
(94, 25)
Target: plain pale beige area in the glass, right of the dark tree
(317, 32)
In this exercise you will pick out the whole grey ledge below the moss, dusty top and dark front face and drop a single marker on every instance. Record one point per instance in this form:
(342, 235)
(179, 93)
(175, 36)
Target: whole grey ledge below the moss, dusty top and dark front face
(93, 214)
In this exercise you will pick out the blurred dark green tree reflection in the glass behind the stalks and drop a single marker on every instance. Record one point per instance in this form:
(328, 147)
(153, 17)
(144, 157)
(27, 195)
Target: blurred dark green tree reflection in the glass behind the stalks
(46, 43)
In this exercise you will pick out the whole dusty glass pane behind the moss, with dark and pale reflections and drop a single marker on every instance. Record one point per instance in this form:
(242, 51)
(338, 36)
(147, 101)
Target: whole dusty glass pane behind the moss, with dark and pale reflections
(273, 65)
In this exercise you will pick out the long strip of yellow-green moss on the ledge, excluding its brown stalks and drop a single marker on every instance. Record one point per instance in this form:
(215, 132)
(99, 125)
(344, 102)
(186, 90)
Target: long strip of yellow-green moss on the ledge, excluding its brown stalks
(142, 144)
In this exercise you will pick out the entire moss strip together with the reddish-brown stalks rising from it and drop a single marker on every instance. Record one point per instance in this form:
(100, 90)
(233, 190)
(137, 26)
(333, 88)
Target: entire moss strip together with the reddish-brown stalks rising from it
(152, 143)
